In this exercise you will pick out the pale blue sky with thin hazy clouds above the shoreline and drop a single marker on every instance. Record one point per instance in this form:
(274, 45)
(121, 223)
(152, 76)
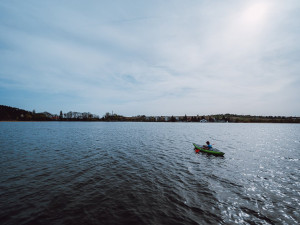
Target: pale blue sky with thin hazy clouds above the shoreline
(132, 57)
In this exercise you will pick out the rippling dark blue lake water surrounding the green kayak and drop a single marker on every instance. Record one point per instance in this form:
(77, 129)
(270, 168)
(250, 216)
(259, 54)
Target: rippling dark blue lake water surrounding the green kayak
(148, 173)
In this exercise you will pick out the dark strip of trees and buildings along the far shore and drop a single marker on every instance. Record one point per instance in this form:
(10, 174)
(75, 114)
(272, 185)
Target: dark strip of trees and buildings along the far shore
(8, 113)
